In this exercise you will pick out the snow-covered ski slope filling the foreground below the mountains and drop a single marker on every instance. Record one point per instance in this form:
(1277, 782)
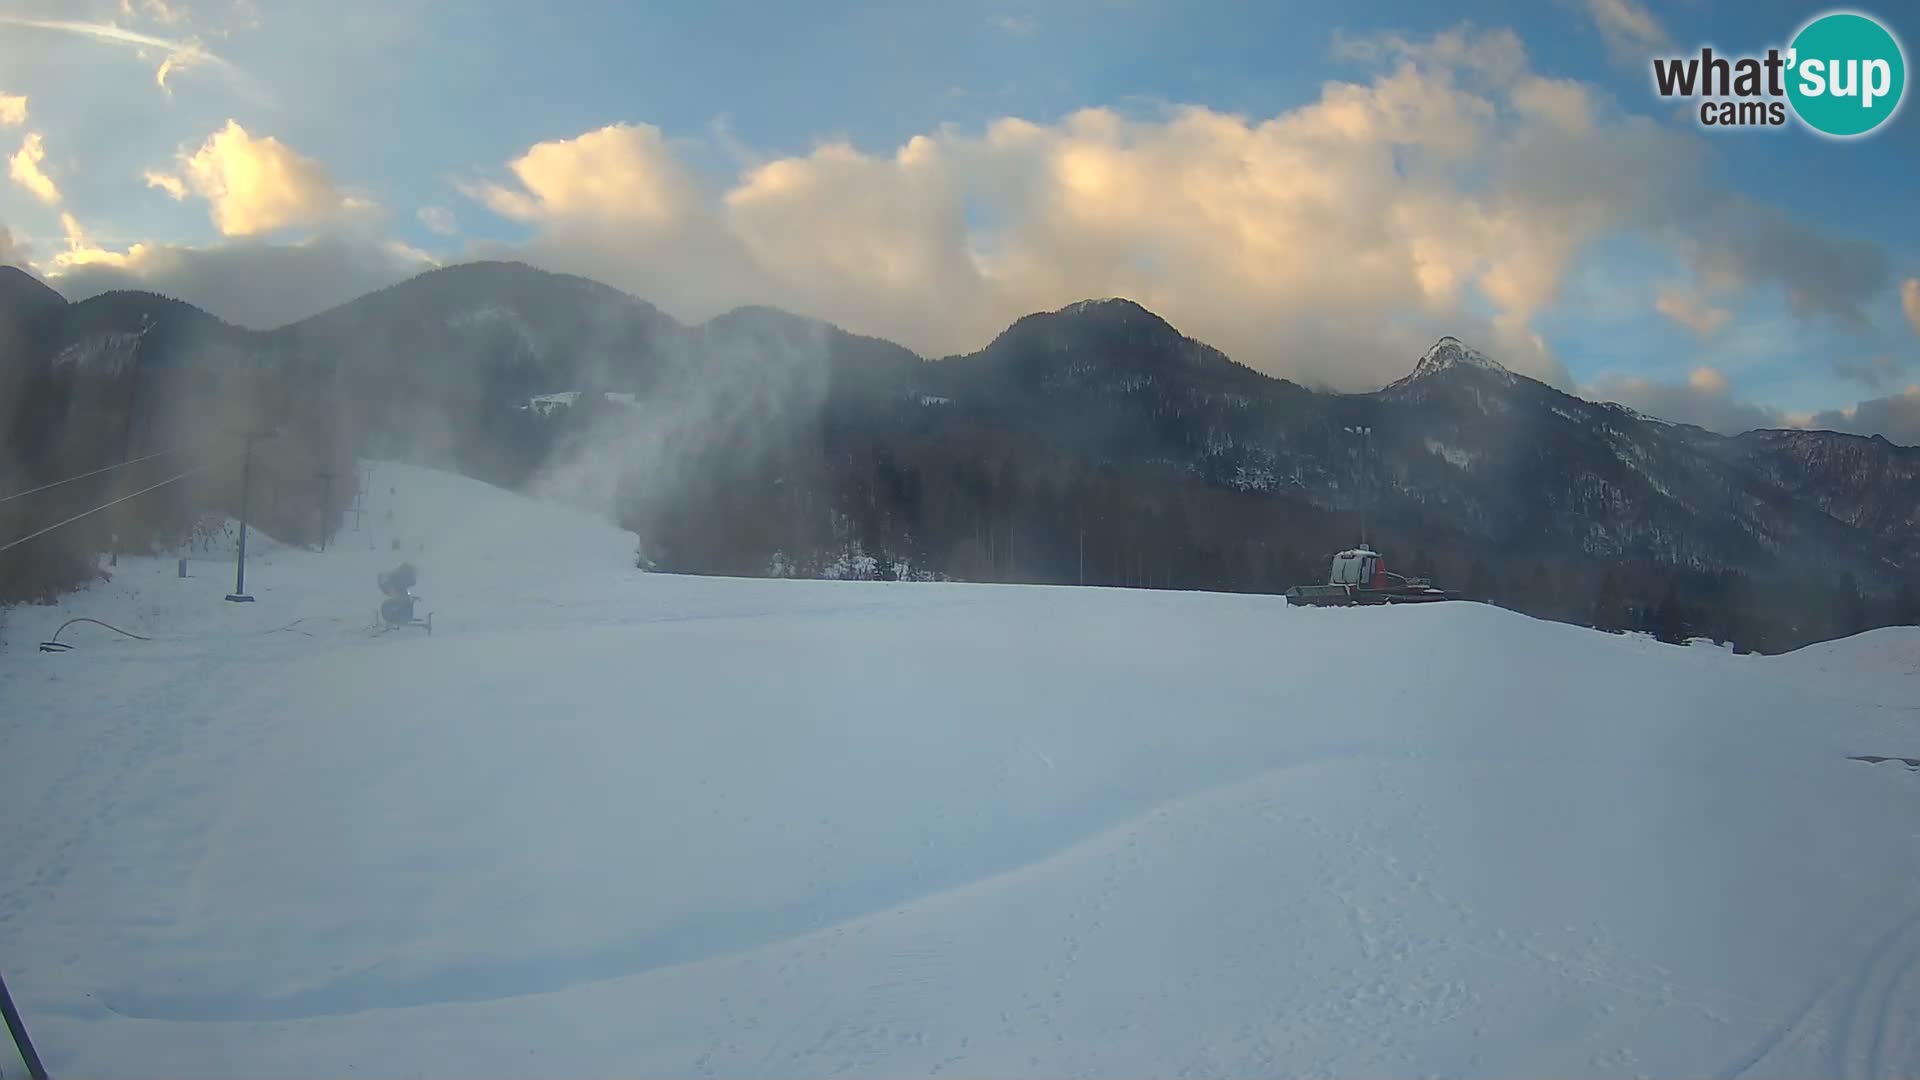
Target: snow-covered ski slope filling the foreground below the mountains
(608, 823)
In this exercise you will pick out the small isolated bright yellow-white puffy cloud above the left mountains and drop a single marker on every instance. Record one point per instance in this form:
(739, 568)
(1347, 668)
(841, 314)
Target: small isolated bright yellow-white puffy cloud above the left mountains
(258, 185)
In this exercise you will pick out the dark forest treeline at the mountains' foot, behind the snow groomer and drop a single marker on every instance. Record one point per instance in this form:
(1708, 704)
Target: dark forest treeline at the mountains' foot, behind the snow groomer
(919, 512)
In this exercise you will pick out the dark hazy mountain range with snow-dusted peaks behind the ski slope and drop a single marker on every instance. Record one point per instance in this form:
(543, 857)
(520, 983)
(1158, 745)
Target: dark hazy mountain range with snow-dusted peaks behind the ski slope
(765, 439)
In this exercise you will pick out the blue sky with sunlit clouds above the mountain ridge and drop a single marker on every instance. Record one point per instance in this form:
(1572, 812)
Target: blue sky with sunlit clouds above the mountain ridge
(1349, 180)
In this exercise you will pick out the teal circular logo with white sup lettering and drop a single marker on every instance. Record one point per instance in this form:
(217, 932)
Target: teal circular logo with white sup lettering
(1846, 76)
